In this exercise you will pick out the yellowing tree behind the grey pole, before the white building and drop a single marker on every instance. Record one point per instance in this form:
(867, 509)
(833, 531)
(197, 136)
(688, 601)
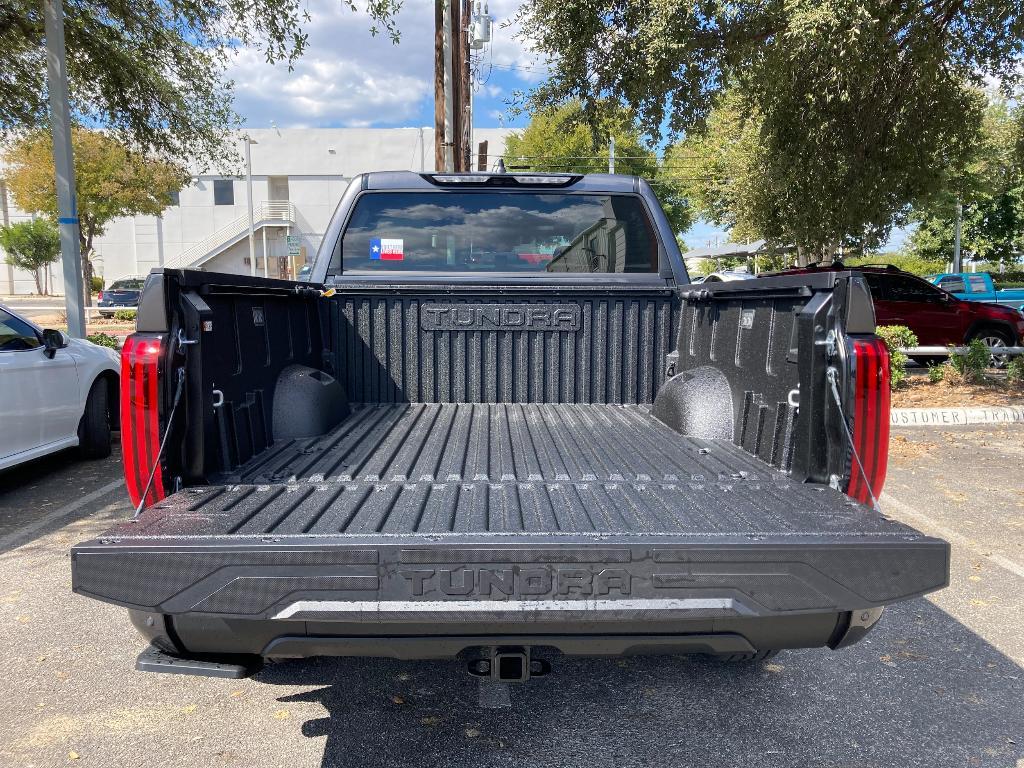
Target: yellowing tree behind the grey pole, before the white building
(111, 182)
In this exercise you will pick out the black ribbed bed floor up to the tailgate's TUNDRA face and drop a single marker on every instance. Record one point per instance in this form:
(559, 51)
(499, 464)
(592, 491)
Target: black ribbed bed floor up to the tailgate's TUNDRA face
(508, 468)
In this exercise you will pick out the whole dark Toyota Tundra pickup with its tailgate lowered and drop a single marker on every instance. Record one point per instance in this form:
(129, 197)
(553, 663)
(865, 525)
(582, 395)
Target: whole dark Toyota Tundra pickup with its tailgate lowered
(498, 422)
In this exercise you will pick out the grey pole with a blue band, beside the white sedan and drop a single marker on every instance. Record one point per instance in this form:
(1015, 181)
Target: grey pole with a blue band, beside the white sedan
(64, 164)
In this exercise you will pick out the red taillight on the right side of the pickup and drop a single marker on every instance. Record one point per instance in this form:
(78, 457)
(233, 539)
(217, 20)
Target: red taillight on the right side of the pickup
(871, 419)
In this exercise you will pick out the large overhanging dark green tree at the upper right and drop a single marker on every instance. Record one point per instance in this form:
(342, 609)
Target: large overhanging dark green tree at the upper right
(861, 108)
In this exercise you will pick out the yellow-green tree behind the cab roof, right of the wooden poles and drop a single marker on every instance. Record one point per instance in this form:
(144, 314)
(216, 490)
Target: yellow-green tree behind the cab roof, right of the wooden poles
(562, 139)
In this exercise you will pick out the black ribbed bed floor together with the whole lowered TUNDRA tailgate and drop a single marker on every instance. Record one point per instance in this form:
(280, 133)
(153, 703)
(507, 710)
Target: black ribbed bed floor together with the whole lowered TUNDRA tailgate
(510, 514)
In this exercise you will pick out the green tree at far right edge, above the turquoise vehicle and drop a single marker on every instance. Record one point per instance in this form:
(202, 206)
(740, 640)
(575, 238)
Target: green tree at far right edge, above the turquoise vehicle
(991, 188)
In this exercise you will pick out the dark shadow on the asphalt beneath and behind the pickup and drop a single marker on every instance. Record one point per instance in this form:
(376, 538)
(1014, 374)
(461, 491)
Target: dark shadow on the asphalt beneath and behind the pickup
(924, 692)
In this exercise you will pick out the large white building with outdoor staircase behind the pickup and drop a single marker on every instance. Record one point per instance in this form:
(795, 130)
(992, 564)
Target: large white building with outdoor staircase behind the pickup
(298, 177)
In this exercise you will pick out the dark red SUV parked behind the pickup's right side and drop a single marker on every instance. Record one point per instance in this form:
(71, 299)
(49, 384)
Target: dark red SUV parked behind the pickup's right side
(938, 318)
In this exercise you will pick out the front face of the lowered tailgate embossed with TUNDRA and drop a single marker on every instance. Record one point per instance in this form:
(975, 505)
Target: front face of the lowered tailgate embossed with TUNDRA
(525, 583)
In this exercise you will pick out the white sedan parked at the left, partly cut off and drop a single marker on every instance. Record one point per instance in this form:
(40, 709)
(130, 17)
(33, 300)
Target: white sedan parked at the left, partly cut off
(56, 393)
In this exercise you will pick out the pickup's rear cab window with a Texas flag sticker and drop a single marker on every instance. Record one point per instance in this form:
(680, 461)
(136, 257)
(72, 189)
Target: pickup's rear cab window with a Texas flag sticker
(499, 233)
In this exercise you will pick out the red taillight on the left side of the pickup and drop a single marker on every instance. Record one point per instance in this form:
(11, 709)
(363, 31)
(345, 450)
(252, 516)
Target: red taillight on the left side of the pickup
(141, 416)
